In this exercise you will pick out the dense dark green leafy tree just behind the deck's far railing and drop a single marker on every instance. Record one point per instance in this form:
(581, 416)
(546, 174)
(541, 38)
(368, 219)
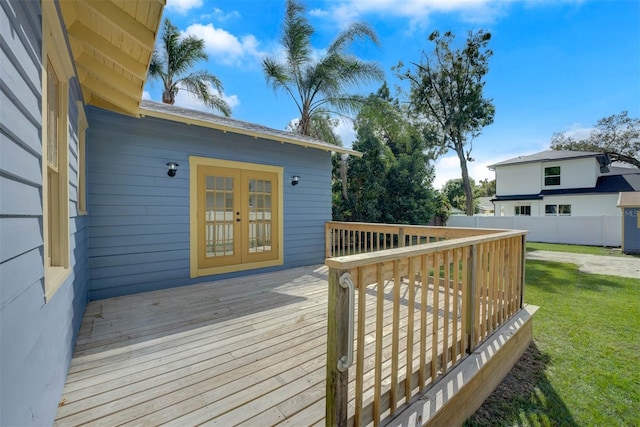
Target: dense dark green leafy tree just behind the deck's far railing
(391, 183)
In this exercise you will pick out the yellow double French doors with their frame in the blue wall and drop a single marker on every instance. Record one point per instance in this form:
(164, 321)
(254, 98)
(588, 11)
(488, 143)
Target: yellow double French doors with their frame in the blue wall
(236, 216)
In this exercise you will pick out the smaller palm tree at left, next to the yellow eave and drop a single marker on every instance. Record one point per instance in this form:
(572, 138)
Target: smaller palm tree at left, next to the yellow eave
(172, 65)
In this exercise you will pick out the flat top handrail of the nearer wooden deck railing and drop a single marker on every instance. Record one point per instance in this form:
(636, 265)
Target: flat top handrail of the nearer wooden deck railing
(358, 260)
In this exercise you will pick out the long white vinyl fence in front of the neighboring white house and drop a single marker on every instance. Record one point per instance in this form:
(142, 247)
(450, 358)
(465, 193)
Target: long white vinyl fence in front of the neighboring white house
(576, 230)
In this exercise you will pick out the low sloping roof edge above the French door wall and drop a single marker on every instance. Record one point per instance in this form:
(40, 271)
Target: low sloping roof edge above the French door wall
(225, 124)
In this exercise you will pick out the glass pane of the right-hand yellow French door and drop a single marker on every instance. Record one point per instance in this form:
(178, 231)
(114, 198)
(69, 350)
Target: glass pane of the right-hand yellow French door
(259, 239)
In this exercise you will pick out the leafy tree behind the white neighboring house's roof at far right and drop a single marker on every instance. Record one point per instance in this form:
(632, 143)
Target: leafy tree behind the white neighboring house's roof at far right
(618, 135)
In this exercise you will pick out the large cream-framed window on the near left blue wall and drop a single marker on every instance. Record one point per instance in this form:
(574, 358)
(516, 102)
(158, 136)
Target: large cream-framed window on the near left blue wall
(56, 71)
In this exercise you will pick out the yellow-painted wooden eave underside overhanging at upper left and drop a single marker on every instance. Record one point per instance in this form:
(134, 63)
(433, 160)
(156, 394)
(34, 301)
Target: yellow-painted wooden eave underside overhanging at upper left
(112, 44)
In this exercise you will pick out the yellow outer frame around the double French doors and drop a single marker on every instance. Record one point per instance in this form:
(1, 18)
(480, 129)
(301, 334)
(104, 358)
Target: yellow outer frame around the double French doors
(199, 271)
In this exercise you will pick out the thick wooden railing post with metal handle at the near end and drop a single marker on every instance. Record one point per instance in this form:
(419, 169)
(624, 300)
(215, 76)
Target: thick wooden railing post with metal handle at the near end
(337, 345)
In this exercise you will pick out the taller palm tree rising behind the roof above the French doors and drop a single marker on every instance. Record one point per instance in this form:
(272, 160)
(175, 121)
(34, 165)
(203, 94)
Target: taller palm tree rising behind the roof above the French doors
(317, 85)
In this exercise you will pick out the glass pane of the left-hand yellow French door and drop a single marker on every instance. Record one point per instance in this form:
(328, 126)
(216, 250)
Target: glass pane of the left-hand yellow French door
(219, 221)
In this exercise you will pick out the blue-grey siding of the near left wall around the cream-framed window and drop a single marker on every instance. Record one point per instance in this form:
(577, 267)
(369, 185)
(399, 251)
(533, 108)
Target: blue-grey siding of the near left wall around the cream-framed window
(36, 337)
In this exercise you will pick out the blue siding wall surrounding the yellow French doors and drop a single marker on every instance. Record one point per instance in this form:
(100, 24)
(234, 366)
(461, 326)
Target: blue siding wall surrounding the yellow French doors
(139, 222)
